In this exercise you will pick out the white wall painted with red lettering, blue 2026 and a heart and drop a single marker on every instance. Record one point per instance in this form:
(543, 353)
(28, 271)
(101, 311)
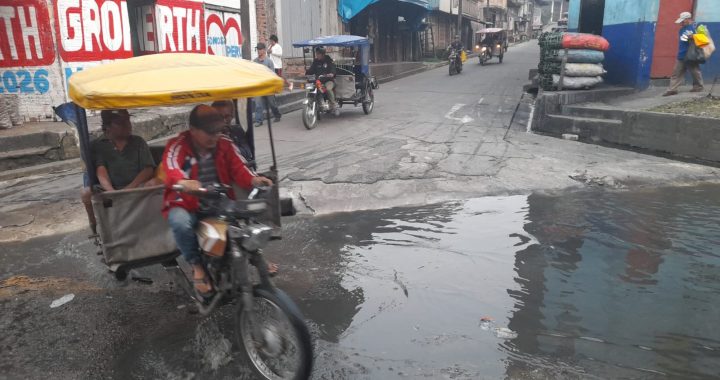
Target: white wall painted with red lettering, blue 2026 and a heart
(44, 42)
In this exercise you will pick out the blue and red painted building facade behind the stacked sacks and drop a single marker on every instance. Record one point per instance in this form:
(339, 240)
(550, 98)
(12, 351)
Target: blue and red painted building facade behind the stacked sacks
(643, 35)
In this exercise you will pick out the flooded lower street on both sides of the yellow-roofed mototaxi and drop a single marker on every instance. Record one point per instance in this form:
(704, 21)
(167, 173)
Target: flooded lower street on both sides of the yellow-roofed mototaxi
(582, 285)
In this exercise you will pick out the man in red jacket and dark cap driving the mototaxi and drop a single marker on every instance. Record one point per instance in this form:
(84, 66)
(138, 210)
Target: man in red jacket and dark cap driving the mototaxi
(198, 158)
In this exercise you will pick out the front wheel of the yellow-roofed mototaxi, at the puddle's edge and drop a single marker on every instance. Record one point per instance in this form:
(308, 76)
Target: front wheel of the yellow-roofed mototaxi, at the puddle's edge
(281, 348)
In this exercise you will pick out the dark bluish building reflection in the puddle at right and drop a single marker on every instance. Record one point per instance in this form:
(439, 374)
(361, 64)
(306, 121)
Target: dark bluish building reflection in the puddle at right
(608, 290)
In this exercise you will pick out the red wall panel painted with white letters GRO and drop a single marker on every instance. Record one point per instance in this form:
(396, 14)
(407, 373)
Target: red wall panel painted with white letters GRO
(93, 30)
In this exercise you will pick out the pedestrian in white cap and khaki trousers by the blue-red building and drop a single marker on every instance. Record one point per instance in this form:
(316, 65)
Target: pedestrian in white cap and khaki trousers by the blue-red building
(687, 30)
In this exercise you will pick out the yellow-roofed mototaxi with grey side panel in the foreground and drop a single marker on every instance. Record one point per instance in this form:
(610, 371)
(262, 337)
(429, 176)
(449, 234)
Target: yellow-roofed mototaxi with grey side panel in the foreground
(133, 233)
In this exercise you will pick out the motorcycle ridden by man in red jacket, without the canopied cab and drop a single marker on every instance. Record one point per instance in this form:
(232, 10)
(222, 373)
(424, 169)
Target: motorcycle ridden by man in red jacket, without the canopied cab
(268, 325)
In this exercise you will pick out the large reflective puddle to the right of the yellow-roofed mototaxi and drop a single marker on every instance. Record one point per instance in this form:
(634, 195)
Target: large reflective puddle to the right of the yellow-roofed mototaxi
(585, 285)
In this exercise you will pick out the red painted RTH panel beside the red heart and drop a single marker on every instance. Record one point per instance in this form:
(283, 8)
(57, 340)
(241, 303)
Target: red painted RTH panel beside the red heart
(180, 26)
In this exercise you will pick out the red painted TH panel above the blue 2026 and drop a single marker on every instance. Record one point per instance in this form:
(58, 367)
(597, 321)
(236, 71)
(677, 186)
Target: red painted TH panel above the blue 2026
(25, 34)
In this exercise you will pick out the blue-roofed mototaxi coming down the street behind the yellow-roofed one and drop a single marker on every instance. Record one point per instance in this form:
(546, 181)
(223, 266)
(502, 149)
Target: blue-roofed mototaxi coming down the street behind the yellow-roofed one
(353, 82)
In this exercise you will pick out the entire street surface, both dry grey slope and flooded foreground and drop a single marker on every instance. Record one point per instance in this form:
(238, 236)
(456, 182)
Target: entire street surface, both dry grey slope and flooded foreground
(521, 287)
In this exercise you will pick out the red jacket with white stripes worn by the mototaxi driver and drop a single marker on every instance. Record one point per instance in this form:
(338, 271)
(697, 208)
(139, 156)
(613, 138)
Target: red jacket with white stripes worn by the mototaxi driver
(180, 163)
